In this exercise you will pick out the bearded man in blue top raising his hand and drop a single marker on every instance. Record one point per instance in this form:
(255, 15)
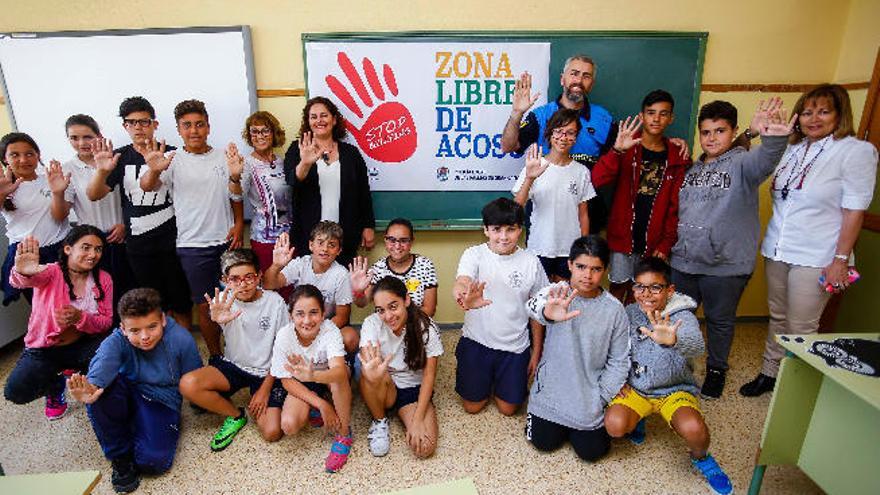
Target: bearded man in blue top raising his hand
(597, 130)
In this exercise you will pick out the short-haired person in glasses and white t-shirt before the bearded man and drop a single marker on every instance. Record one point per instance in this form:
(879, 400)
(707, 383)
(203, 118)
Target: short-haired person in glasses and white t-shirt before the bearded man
(559, 188)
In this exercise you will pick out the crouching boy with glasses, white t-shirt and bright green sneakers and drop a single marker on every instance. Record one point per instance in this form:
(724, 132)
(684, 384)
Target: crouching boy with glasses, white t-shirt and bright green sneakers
(250, 317)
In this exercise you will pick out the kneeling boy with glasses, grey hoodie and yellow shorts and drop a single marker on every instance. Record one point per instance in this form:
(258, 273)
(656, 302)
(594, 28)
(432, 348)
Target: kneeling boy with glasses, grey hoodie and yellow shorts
(664, 337)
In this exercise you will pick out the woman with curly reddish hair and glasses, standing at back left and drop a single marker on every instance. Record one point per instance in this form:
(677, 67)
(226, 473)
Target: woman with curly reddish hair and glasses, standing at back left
(264, 185)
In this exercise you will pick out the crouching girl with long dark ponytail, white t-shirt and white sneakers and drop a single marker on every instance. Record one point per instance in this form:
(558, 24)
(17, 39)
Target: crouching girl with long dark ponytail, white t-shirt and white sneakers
(400, 347)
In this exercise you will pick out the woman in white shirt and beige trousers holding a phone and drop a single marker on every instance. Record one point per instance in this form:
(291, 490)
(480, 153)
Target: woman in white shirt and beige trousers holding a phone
(821, 189)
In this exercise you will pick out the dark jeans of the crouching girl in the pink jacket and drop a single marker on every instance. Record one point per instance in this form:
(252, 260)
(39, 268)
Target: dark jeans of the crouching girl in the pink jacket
(36, 372)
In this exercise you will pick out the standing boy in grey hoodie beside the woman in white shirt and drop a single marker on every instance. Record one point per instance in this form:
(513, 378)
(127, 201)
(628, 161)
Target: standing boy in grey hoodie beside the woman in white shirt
(718, 225)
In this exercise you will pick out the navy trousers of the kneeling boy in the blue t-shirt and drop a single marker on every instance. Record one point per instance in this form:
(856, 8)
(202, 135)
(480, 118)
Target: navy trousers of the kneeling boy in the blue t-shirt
(127, 422)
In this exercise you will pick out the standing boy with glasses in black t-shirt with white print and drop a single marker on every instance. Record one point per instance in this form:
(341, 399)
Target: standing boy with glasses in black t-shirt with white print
(149, 216)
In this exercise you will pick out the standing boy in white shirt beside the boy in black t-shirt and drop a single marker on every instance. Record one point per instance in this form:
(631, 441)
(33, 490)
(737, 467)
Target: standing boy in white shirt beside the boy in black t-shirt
(207, 203)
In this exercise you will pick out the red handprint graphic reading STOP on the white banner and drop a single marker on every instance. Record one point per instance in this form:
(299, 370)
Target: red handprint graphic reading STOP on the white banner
(389, 134)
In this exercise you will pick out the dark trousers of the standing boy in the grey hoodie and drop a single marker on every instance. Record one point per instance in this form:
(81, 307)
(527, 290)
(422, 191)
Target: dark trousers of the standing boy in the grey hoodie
(719, 296)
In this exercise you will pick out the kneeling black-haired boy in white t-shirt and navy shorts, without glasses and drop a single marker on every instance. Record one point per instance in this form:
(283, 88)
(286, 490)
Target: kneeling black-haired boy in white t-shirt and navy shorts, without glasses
(493, 283)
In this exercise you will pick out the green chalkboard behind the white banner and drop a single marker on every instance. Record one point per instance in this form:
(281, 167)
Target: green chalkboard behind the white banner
(628, 65)
